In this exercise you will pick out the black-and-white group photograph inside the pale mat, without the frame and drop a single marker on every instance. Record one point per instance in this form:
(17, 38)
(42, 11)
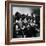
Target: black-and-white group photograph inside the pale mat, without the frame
(25, 22)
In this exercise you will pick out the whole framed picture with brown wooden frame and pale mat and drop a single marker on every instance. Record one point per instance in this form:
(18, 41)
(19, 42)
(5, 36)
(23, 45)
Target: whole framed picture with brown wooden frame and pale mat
(24, 22)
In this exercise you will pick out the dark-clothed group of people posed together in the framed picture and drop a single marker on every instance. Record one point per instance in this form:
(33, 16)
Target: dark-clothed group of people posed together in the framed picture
(25, 26)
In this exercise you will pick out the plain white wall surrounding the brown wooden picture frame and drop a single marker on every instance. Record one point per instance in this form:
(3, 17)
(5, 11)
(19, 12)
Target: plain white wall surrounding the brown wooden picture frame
(2, 25)
